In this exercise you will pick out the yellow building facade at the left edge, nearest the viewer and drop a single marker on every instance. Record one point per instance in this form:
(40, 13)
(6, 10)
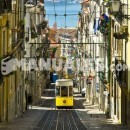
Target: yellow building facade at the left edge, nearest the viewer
(11, 39)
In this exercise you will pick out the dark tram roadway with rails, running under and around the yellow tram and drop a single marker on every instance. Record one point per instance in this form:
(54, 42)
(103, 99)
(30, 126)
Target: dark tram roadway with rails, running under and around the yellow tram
(58, 119)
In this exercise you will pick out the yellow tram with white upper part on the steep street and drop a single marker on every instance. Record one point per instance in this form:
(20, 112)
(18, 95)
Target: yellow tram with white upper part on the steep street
(64, 93)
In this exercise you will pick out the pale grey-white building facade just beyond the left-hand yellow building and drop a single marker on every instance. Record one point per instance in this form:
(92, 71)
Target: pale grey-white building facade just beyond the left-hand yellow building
(36, 45)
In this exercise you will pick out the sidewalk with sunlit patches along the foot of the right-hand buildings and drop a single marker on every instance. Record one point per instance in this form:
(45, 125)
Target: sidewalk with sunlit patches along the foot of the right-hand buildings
(95, 119)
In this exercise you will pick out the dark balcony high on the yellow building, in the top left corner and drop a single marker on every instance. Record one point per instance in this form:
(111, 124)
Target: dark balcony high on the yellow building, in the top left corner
(5, 5)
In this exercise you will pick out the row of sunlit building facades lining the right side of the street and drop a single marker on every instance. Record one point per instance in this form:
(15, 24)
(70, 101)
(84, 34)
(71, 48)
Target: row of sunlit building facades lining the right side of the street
(106, 35)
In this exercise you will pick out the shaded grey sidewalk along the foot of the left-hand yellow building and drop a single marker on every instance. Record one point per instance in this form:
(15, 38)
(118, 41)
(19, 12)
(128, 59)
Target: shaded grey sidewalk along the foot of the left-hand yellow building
(25, 122)
